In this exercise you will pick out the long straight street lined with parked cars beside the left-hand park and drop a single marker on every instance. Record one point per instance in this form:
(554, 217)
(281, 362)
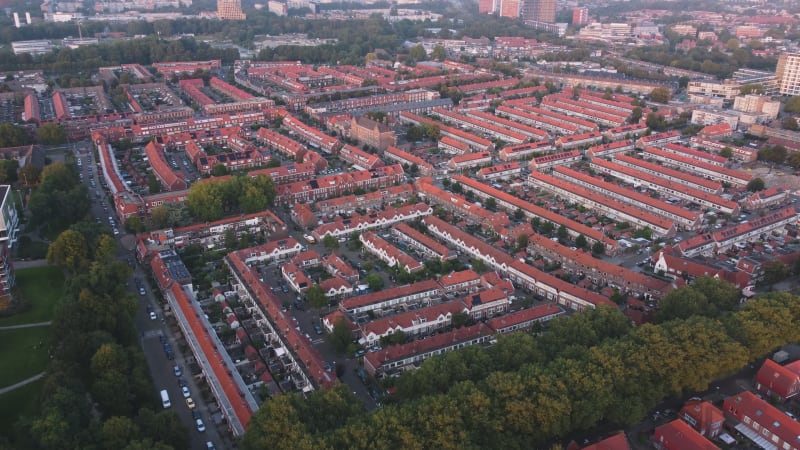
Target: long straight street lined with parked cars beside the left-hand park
(161, 369)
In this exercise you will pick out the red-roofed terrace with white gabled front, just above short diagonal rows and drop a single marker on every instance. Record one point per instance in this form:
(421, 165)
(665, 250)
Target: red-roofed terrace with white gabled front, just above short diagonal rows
(389, 216)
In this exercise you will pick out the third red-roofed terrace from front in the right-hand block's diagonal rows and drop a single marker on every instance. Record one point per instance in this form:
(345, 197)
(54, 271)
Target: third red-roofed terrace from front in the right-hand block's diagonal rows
(686, 219)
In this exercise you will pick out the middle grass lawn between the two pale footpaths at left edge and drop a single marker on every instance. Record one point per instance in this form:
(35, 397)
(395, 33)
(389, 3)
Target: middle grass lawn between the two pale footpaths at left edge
(23, 353)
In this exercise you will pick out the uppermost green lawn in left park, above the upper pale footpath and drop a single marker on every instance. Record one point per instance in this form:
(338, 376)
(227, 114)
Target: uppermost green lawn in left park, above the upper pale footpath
(41, 287)
